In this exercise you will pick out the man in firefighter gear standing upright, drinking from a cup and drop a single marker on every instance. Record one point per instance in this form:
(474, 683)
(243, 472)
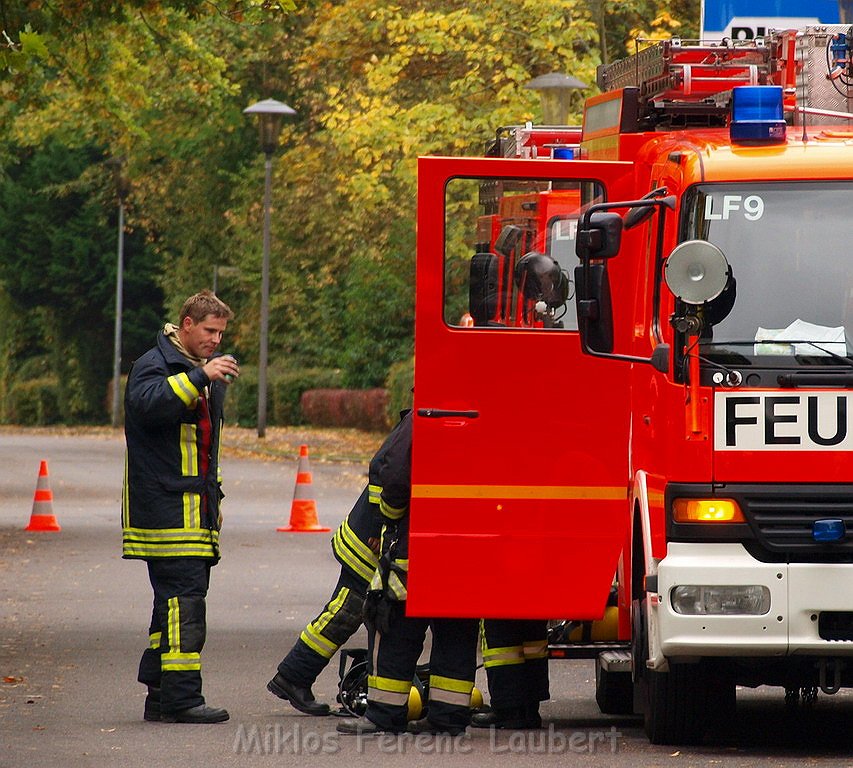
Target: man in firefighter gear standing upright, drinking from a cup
(170, 509)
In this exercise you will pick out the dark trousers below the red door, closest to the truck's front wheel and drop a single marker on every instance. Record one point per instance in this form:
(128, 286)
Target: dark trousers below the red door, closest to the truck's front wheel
(515, 657)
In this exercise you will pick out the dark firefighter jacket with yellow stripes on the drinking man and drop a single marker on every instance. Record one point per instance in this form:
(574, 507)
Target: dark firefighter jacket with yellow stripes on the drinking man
(173, 423)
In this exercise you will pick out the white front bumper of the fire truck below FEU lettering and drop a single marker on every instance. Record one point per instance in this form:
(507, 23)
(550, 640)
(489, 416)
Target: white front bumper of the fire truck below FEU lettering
(798, 593)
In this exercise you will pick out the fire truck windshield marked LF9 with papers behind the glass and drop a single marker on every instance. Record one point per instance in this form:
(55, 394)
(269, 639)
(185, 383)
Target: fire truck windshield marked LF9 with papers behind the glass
(788, 244)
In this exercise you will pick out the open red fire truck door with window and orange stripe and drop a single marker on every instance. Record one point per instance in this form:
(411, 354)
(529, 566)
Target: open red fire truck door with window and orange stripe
(519, 477)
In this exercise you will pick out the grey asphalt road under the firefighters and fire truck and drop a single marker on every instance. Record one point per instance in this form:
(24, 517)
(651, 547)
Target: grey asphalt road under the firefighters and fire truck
(74, 621)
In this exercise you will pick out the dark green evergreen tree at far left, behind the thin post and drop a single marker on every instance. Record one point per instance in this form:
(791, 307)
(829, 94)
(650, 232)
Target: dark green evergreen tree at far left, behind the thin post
(58, 266)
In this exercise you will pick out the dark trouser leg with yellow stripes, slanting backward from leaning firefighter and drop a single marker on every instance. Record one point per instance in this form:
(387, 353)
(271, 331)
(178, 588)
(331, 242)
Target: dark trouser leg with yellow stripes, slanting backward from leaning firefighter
(337, 622)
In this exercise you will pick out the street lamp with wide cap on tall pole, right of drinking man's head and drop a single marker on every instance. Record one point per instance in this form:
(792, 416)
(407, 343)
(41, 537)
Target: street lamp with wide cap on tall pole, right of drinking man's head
(271, 114)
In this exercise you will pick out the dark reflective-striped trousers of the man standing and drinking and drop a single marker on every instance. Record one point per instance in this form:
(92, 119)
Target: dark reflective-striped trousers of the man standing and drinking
(172, 661)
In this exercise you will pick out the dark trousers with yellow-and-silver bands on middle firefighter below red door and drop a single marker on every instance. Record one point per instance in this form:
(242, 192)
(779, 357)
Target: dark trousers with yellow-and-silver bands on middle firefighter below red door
(452, 664)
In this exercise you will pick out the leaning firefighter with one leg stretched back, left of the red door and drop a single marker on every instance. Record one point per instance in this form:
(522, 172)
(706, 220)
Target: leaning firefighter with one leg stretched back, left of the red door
(355, 546)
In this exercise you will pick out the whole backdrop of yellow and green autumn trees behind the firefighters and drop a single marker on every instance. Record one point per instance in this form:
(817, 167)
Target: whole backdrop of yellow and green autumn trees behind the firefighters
(163, 85)
